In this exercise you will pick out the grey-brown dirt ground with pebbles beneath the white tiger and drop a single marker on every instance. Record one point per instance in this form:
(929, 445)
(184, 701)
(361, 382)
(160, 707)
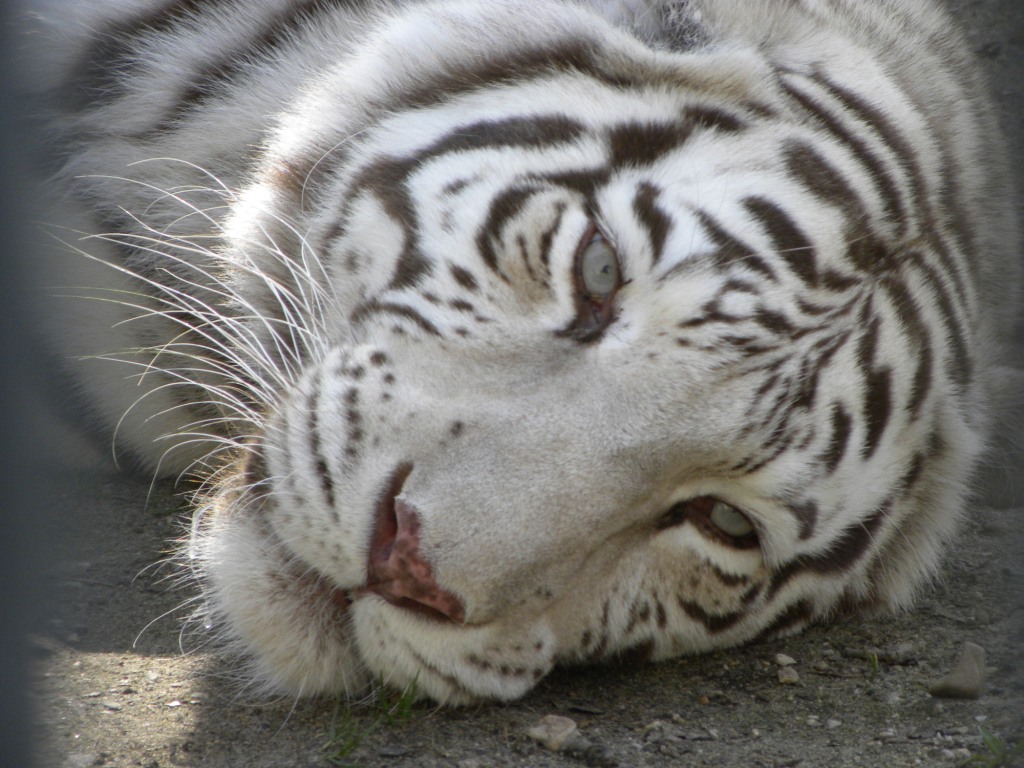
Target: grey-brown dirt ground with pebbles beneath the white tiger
(117, 684)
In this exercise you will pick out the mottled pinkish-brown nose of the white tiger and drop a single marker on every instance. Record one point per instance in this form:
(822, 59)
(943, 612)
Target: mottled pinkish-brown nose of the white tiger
(399, 573)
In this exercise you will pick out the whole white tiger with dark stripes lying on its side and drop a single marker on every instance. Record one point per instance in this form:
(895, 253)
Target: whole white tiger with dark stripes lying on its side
(511, 334)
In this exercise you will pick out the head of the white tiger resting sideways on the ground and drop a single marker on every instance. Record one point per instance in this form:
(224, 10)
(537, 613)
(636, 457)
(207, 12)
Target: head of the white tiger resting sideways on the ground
(569, 347)
